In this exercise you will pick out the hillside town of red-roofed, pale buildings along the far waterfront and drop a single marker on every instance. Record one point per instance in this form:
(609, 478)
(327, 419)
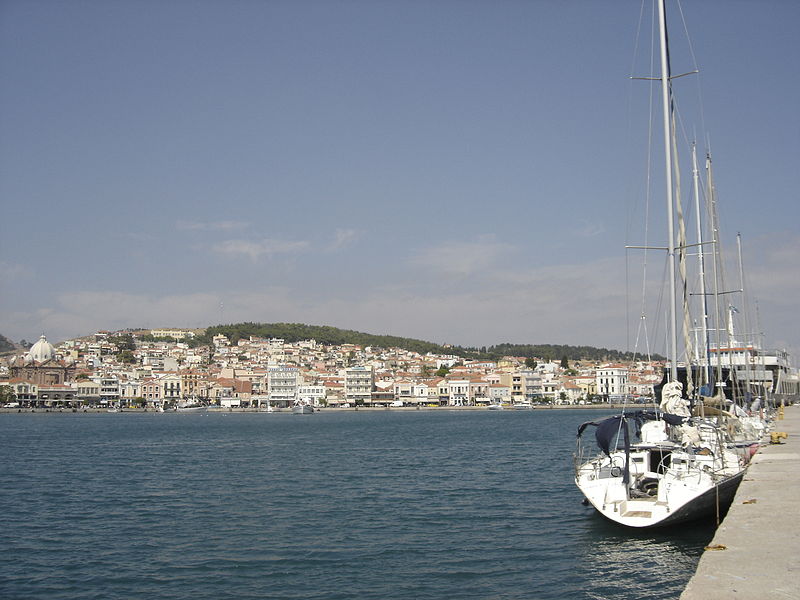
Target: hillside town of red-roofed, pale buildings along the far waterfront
(160, 370)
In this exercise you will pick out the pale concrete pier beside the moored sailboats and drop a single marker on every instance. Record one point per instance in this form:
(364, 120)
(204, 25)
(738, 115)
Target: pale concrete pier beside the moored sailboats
(758, 543)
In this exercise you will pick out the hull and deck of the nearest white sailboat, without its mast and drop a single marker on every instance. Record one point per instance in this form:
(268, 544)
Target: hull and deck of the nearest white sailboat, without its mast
(656, 469)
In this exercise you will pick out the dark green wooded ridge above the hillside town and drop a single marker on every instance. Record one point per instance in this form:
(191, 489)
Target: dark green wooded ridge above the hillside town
(324, 334)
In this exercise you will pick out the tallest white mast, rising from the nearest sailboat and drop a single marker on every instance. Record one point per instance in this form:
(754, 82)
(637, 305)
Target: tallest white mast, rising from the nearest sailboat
(666, 98)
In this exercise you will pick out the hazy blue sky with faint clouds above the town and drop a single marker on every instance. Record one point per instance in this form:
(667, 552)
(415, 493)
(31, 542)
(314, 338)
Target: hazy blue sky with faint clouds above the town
(458, 171)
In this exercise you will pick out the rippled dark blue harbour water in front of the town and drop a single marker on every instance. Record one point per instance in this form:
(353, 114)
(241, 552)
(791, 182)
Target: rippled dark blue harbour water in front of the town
(384, 505)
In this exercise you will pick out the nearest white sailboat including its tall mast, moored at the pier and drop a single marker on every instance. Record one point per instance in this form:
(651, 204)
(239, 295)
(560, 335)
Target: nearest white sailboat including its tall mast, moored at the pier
(661, 467)
